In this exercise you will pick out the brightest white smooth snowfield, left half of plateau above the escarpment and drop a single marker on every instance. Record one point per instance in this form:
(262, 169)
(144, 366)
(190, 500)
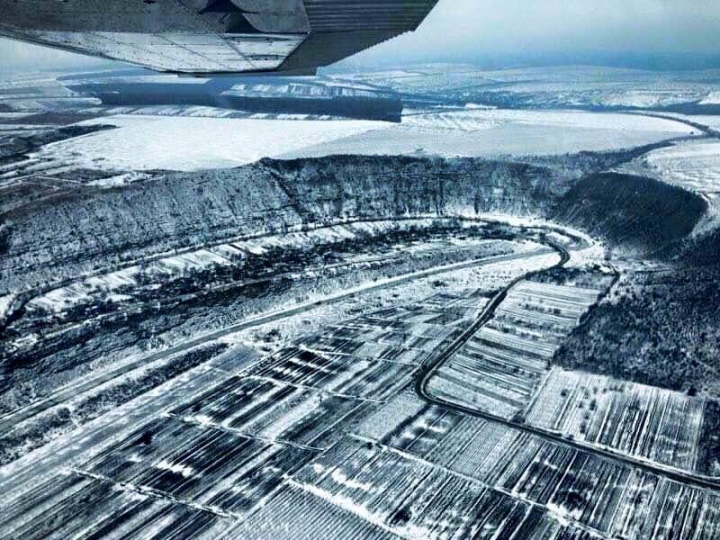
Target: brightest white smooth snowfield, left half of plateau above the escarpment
(186, 144)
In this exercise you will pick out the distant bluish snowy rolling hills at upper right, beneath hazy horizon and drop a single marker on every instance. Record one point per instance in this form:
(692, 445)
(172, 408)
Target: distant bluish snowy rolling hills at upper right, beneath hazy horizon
(554, 87)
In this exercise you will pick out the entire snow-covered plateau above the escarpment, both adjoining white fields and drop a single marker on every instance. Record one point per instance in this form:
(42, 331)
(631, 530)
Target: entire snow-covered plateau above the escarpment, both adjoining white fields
(195, 143)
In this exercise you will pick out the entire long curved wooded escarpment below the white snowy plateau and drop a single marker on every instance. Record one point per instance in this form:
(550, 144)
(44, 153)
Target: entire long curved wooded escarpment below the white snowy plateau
(95, 228)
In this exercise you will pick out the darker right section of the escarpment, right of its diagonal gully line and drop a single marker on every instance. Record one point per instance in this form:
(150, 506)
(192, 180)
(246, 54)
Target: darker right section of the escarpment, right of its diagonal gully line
(358, 186)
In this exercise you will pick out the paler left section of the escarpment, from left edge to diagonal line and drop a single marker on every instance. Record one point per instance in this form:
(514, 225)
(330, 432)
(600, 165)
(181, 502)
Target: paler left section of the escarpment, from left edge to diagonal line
(97, 228)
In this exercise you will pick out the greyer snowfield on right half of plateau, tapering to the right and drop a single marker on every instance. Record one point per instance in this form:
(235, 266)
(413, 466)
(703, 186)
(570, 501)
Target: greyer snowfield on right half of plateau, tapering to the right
(490, 133)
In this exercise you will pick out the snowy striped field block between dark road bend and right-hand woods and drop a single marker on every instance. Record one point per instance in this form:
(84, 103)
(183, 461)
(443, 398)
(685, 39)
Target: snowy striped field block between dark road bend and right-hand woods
(499, 369)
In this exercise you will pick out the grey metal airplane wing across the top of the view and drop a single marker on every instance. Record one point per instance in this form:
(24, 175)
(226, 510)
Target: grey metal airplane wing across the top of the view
(213, 36)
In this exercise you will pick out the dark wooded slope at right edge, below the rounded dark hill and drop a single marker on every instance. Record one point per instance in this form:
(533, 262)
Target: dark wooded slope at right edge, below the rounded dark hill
(659, 328)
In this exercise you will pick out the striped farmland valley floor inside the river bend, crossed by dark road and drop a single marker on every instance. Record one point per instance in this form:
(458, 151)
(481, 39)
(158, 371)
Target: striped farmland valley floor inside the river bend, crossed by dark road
(328, 431)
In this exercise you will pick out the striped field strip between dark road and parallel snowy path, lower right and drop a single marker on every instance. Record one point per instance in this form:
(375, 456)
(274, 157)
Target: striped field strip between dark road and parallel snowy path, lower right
(596, 495)
